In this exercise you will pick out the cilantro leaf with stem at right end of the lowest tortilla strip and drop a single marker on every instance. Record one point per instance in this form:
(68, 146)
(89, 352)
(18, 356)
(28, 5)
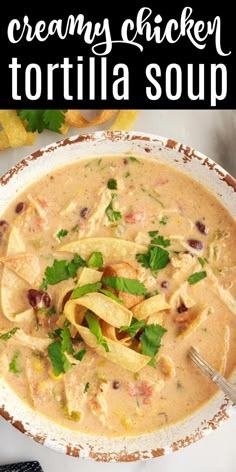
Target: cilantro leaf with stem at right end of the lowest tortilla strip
(151, 341)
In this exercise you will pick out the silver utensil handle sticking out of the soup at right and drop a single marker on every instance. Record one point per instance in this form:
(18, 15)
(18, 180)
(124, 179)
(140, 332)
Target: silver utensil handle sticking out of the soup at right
(215, 376)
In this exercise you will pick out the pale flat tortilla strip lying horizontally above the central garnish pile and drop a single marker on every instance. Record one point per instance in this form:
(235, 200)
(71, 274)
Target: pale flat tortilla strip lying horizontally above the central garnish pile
(111, 248)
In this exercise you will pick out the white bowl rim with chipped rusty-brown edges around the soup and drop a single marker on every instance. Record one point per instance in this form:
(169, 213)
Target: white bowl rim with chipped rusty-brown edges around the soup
(223, 187)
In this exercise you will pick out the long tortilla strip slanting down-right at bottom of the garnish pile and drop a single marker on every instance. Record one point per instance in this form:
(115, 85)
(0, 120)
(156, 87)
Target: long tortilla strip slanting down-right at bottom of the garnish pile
(118, 353)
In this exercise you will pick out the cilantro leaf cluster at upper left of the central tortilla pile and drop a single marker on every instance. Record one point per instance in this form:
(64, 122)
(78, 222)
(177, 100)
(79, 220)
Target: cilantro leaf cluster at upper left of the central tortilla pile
(63, 270)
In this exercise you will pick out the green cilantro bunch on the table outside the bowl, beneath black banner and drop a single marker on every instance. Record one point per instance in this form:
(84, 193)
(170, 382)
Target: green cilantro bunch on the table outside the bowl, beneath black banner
(38, 120)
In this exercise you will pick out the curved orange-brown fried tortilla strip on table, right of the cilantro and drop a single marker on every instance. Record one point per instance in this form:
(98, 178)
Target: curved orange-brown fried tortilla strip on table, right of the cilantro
(76, 119)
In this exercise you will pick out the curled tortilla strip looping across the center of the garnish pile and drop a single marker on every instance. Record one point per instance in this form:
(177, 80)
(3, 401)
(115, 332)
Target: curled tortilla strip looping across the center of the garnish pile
(103, 306)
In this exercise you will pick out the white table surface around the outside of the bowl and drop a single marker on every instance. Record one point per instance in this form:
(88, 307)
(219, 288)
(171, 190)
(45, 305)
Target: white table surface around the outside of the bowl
(213, 133)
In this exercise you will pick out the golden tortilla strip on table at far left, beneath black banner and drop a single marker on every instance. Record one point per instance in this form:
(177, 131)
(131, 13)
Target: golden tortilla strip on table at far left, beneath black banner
(13, 128)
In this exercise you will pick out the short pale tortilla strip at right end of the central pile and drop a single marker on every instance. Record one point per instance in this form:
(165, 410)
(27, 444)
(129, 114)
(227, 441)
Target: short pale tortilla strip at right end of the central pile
(150, 306)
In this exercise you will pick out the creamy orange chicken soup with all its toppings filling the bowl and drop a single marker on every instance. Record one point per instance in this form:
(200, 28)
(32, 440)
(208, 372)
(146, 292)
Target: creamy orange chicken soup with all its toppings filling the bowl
(111, 269)
